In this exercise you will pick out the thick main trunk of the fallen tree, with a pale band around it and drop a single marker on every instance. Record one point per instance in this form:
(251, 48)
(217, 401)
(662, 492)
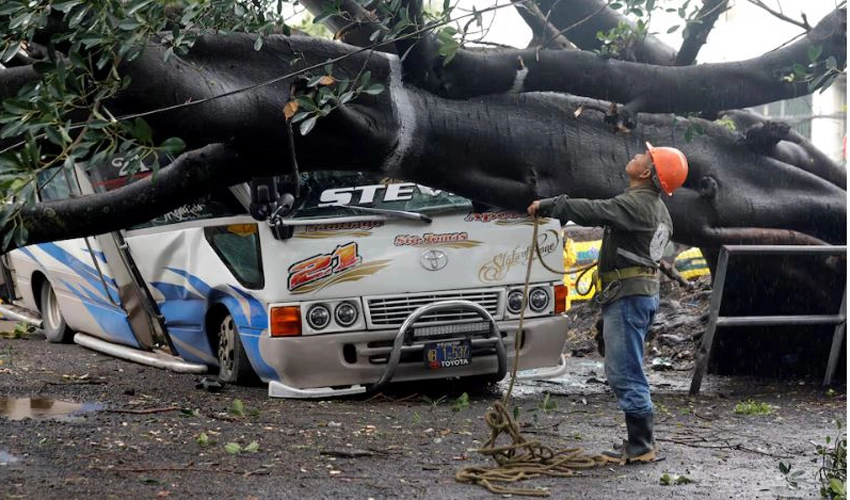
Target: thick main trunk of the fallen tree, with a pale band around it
(532, 145)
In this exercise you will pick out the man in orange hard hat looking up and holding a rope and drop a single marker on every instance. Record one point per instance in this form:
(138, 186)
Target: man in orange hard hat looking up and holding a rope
(637, 230)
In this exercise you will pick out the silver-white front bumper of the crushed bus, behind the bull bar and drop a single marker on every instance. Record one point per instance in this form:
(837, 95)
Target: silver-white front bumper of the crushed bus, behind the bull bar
(356, 362)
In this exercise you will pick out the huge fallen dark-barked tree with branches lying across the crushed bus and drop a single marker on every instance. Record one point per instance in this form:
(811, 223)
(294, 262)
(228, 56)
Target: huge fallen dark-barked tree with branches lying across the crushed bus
(500, 126)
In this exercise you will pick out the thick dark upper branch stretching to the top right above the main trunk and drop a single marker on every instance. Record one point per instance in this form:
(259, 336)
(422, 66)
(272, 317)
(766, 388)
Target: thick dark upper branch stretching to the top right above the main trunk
(663, 89)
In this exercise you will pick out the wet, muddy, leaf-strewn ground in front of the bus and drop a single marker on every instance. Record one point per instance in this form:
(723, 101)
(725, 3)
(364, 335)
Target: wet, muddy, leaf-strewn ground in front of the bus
(154, 435)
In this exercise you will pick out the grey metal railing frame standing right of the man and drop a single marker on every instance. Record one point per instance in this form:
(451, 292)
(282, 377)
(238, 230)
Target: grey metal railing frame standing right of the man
(715, 320)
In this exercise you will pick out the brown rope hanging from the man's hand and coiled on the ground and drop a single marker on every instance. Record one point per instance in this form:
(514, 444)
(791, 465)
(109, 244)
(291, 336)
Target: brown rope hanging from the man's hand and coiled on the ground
(521, 458)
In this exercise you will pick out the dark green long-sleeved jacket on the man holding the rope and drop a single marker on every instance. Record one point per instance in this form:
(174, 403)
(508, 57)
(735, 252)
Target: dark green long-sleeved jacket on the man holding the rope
(637, 230)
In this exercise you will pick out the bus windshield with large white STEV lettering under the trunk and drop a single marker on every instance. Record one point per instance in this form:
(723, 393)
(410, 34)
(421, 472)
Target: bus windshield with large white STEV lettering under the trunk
(327, 193)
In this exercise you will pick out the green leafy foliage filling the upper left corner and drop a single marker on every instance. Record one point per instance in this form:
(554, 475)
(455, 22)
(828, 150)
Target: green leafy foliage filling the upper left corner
(64, 117)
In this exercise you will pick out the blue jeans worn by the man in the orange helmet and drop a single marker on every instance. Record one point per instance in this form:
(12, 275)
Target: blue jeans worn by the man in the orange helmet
(626, 321)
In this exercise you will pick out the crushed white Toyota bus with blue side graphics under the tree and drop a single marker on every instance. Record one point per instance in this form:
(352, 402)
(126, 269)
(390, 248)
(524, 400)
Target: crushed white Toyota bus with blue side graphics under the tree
(358, 282)
